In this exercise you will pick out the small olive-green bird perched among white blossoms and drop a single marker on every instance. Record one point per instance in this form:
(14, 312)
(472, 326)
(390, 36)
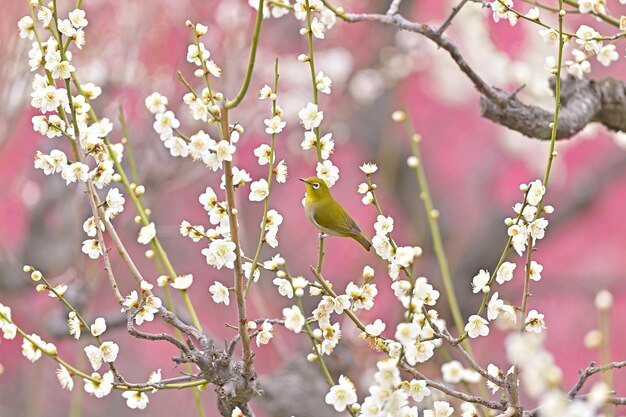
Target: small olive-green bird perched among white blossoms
(327, 214)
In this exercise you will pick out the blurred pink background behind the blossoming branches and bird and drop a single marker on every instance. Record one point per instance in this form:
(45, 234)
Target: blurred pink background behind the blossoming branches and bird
(474, 169)
